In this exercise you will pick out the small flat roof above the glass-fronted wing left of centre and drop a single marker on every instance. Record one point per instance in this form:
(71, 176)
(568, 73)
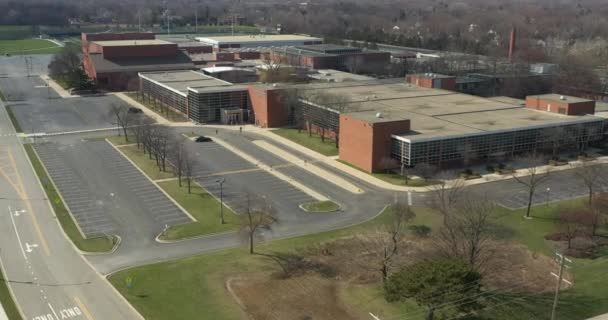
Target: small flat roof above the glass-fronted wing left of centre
(182, 80)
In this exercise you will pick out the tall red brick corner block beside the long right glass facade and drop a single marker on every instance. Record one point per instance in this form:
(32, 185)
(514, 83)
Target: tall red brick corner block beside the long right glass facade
(365, 145)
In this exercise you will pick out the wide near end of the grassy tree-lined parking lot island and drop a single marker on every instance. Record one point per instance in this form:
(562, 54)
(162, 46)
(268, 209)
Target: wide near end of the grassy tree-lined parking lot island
(203, 207)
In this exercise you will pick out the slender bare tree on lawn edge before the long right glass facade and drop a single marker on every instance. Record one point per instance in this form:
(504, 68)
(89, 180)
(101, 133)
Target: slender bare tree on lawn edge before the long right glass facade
(532, 176)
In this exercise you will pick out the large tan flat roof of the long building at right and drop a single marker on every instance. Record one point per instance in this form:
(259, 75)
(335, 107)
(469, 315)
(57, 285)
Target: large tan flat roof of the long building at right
(436, 113)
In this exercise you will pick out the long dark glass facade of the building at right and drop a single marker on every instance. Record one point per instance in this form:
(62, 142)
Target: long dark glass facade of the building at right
(495, 146)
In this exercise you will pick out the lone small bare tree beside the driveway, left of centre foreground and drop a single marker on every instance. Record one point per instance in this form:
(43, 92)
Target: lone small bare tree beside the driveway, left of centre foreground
(259, 214)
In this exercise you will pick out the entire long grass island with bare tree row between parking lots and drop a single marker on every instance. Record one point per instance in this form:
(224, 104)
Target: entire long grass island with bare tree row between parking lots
(200, 204)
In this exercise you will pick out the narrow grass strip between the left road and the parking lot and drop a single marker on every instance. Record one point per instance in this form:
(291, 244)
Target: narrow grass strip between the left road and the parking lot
(101, 244)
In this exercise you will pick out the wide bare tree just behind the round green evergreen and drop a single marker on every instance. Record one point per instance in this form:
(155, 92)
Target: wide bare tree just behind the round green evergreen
(466, 233)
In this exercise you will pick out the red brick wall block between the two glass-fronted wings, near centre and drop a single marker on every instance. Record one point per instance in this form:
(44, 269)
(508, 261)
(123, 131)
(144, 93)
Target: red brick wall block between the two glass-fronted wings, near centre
(267, 107)
